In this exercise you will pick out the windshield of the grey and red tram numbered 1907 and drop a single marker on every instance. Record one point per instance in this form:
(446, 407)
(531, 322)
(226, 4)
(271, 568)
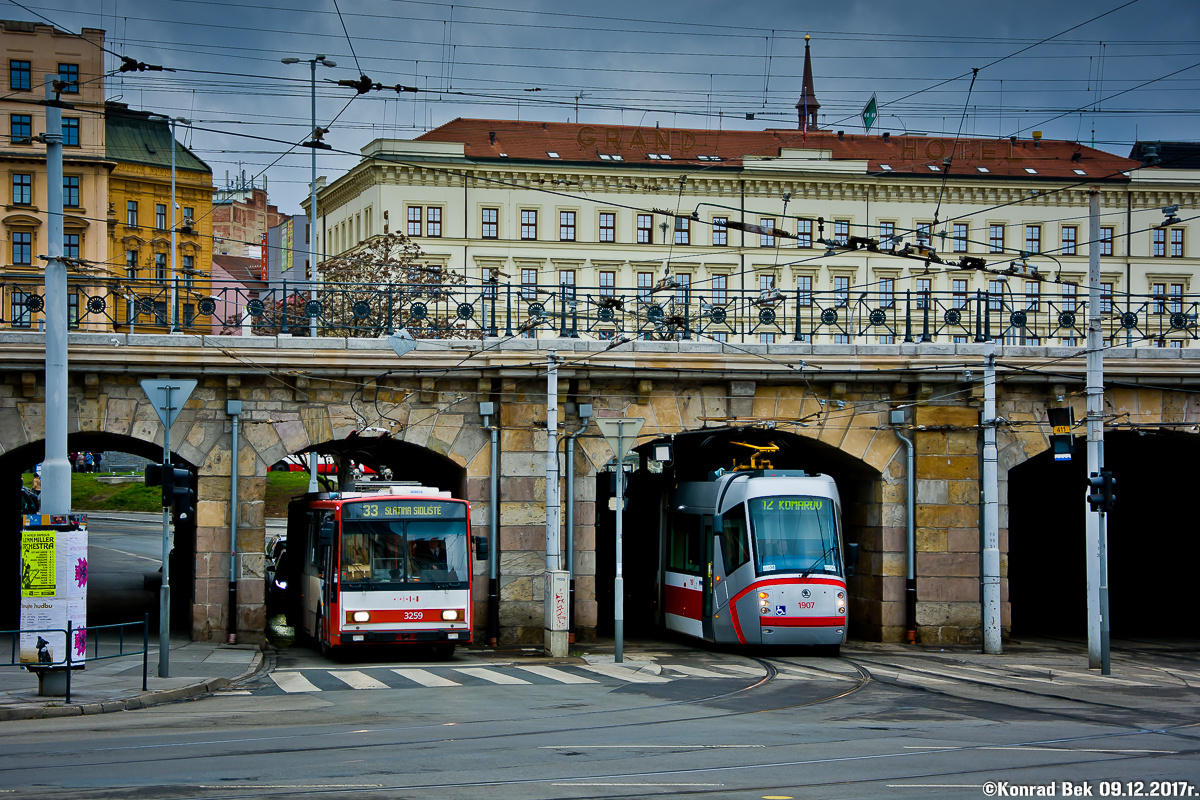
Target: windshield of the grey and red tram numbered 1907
(795, 534)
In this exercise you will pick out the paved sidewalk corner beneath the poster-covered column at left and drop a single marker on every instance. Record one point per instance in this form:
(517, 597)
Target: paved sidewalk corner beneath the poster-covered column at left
(116, 684)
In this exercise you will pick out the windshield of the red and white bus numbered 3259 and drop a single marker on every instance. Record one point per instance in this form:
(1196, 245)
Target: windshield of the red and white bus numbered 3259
(385, 554)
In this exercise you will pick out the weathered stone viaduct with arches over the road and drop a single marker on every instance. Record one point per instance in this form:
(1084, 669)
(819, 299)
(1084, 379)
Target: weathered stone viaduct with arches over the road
(830, 405)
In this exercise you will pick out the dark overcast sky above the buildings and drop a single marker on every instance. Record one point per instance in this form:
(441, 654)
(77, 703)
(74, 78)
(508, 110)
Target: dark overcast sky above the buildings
(1047, 67)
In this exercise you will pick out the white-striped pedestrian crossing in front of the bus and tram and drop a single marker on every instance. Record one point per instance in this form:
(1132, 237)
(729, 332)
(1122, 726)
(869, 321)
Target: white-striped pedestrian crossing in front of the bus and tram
(322, 679)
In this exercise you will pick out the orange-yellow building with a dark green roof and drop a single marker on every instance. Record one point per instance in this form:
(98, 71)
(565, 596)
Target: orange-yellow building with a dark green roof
(158, 293)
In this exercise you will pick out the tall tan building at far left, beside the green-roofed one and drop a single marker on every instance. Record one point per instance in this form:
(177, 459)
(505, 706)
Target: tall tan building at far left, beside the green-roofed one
(33, 52)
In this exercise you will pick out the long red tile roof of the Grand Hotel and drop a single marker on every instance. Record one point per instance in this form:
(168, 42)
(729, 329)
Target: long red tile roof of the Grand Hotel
(910, 155)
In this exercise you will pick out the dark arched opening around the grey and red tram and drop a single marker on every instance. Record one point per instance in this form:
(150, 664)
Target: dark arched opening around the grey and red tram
(695, 454)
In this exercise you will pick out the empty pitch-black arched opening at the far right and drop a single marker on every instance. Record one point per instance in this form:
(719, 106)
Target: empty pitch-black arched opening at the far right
(1151, 539)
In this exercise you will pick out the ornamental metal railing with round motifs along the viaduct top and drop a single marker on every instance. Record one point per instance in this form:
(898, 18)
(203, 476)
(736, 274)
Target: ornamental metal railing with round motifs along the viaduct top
(669, 312)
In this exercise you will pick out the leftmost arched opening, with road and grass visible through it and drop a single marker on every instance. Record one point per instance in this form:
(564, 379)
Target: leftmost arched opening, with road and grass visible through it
(124, 550)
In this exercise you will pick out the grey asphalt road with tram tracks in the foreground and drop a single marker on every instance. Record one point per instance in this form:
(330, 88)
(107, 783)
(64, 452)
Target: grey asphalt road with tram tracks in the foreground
(741, 729)
